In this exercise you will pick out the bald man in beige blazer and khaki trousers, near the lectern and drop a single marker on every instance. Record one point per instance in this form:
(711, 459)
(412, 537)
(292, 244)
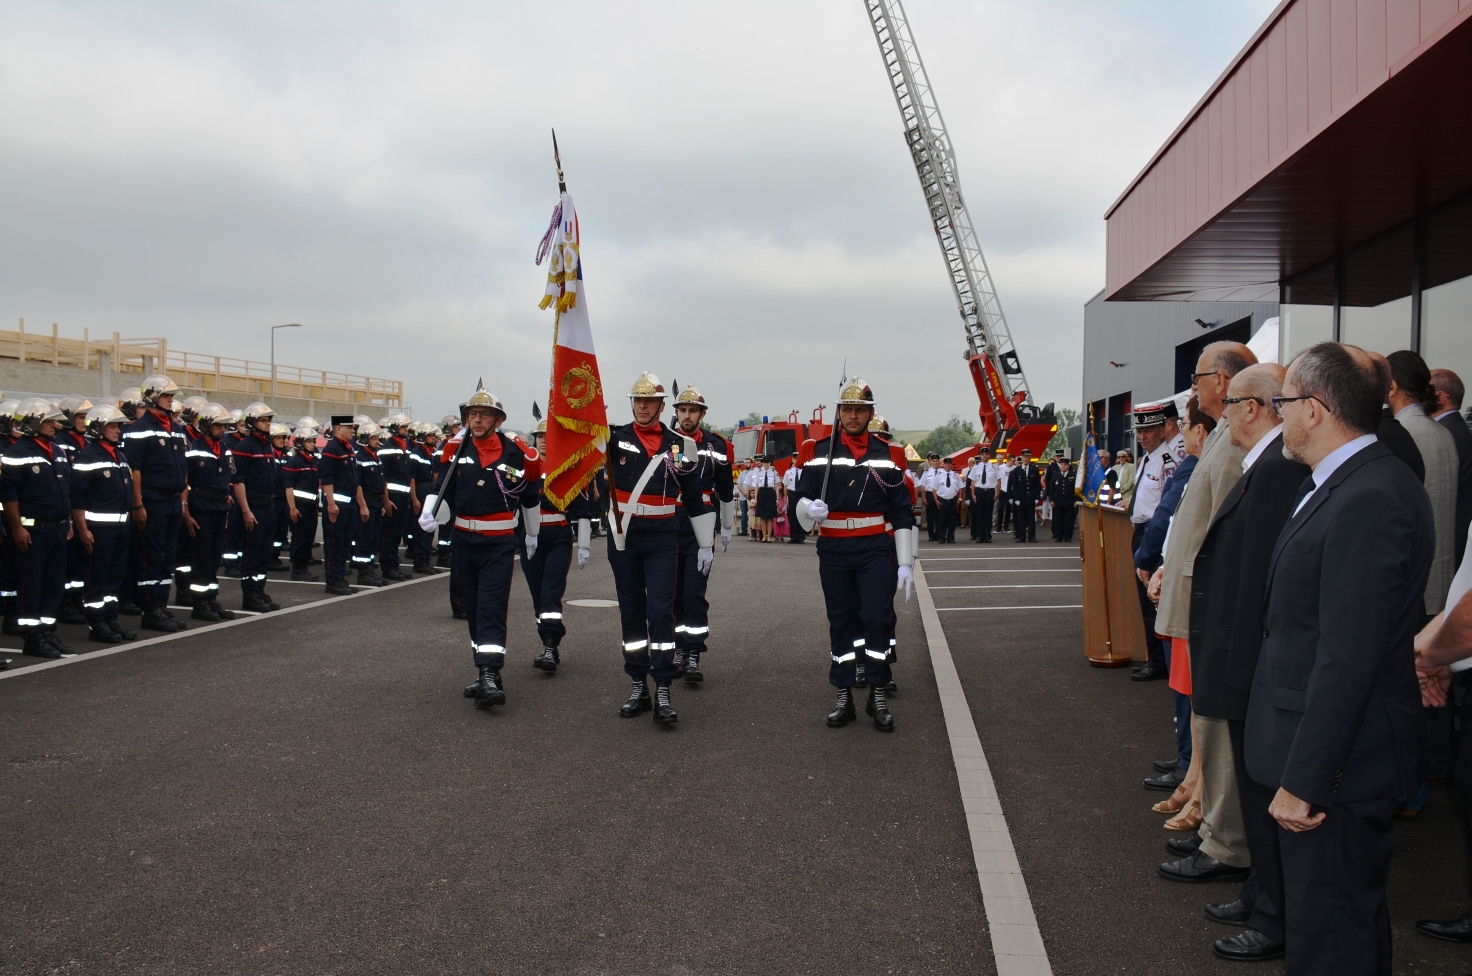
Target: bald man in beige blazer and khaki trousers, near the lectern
(1222, 855)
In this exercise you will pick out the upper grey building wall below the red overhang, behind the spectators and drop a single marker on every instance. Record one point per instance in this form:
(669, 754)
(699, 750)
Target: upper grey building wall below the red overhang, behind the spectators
(1143, 336)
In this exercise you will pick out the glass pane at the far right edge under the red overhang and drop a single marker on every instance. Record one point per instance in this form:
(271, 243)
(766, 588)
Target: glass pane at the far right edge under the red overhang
(1446, 301)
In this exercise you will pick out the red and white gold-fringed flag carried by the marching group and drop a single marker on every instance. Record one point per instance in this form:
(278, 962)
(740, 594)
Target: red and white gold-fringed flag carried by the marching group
(578, 419)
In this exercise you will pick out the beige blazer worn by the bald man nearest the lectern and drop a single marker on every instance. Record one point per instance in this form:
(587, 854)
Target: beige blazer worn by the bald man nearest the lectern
(1218, 470)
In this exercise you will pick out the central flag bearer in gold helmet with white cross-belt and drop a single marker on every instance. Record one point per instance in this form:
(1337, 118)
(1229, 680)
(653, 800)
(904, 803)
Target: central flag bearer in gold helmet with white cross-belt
(654, 473)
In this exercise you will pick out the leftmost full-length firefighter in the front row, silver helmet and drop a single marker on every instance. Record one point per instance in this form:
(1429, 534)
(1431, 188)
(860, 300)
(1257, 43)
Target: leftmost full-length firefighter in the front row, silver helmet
(36, 491)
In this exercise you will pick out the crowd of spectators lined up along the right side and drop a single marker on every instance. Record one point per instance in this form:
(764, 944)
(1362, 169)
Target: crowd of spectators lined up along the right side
(1303, 569)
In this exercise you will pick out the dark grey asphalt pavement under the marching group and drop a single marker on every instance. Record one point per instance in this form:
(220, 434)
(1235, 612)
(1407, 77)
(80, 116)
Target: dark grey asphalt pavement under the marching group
(310, 793)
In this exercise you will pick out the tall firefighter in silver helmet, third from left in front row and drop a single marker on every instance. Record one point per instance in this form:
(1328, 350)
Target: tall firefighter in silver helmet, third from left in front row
(157, 448)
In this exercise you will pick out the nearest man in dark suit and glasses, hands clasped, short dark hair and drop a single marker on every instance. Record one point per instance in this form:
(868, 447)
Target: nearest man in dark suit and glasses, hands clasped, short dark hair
(1334, 721)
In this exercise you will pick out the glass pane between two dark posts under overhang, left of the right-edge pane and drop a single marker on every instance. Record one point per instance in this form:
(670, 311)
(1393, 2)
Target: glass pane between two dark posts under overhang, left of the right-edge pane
(1376, 303)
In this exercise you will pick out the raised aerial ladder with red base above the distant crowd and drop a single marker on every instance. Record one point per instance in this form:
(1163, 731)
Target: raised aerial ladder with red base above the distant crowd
(1009, 419)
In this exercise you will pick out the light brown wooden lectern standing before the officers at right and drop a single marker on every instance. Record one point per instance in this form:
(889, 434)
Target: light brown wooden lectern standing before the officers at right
(1114, 626)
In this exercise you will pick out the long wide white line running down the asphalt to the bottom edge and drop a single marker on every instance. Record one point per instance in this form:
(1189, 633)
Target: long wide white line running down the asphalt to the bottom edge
(1016, 940)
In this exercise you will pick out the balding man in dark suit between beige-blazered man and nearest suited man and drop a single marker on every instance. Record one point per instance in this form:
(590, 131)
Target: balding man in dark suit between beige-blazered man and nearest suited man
(1227, 632)
